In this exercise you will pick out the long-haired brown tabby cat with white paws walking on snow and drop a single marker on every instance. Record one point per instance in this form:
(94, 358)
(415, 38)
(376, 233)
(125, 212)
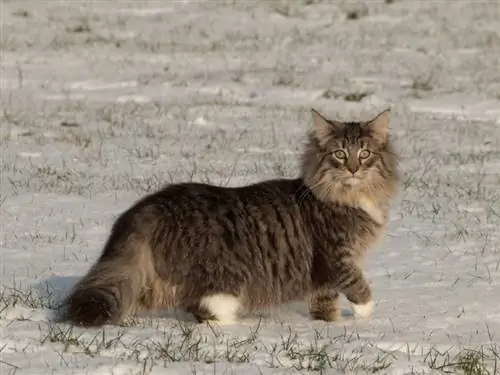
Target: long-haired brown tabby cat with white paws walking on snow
(218, 252)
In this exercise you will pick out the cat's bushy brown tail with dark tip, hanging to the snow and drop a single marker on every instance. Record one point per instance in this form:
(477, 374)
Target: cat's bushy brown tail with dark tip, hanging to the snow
(113, 287)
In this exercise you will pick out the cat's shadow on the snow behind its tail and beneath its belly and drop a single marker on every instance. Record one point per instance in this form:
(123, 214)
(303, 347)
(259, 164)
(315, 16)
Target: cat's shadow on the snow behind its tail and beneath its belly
(56, 288)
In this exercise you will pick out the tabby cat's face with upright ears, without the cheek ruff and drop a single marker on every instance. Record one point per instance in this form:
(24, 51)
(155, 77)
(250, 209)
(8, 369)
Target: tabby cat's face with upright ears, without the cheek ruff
(351, 153)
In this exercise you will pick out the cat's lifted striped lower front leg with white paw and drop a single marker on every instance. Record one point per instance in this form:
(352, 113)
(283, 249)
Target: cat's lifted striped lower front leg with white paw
(354, 286)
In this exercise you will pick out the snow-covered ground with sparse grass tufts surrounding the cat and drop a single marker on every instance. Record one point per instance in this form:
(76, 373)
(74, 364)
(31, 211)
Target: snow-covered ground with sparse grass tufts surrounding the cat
(103, 101)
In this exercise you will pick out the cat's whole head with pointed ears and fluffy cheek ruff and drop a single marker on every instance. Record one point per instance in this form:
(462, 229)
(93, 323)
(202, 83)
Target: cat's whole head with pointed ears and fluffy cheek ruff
(343, 157)
